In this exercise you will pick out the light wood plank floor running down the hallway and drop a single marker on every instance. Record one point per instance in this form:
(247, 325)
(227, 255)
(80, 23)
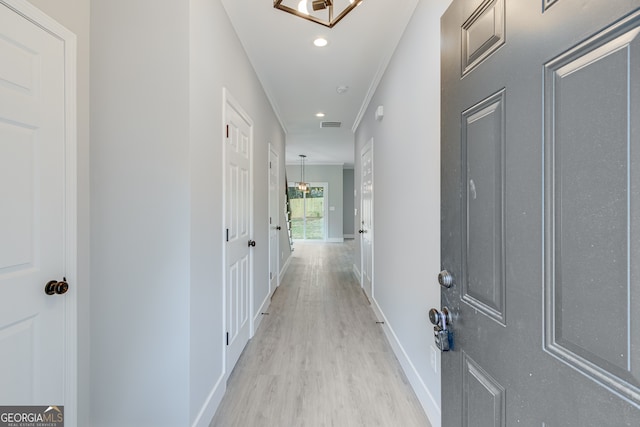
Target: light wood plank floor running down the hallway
(319, 358)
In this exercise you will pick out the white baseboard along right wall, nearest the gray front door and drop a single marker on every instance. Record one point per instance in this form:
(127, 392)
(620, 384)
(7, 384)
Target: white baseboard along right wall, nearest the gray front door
(430, 406)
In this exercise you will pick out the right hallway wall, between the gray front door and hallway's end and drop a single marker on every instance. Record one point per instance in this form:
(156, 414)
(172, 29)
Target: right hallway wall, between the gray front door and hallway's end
(407, 198)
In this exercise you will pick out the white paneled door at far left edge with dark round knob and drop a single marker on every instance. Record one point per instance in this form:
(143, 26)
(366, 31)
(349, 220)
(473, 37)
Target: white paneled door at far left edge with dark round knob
(37, 217)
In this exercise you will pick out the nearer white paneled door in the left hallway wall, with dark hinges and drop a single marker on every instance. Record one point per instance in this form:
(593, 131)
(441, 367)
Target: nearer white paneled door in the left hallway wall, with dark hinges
(238, 223)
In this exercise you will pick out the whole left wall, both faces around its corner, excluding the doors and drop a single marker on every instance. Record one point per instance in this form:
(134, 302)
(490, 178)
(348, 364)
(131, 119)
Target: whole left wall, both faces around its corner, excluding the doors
(157, 347)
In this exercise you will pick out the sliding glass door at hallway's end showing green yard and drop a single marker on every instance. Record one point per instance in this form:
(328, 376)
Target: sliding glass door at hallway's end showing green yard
(309, 211)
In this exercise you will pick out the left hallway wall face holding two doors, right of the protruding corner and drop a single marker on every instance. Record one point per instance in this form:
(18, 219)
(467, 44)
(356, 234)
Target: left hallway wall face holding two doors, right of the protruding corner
(212, 38)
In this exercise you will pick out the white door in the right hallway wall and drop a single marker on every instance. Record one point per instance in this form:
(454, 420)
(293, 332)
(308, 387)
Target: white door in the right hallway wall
(366, 215)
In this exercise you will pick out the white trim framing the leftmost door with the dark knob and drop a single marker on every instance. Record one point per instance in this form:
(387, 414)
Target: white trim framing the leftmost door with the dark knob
(69, 40)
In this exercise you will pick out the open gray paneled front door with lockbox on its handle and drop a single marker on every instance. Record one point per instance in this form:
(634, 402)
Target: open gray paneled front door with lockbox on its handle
(541, 212)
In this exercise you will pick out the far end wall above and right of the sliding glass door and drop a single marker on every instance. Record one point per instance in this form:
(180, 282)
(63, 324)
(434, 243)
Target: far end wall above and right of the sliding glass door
(332, 175)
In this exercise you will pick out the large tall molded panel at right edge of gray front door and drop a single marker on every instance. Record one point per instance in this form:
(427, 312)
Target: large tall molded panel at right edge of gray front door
(592, 238)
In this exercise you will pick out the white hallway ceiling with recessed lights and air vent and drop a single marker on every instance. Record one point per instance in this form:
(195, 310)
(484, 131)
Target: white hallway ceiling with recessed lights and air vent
(302, 80)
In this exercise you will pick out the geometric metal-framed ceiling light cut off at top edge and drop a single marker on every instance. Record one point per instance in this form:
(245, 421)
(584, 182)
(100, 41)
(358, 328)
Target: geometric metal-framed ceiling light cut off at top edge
(323, 12)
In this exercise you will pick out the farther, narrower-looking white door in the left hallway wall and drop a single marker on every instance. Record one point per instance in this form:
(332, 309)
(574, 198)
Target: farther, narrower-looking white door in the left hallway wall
(274, 220)
